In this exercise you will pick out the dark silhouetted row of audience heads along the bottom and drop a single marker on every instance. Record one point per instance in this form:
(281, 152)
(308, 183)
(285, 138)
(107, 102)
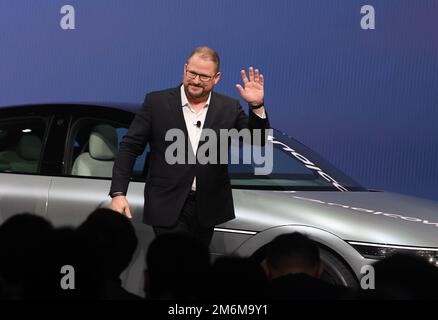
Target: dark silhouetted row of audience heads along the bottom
(33, 255)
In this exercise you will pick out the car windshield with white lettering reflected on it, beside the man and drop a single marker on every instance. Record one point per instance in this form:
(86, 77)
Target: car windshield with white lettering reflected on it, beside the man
(294, 167)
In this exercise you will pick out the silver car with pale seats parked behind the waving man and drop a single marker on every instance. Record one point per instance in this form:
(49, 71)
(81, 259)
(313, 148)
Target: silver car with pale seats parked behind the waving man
(52, 164)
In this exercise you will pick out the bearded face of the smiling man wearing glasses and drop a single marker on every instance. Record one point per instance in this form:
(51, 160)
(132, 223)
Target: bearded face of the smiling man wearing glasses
(196, 69)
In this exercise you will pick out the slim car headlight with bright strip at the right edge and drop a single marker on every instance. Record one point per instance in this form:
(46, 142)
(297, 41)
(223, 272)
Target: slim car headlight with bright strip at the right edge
(380, 251)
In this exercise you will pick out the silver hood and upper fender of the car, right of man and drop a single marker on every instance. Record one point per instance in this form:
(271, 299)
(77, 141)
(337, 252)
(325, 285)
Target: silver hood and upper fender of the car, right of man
(377, 217)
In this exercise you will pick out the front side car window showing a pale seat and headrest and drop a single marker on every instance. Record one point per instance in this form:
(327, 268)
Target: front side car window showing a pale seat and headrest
(95, 146)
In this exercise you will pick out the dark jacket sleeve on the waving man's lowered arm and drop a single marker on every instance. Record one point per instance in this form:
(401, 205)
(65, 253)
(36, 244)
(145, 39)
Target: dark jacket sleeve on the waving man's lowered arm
(132, 145)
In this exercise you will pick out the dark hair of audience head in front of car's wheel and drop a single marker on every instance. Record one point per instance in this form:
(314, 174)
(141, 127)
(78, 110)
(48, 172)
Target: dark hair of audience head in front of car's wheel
(293, 248)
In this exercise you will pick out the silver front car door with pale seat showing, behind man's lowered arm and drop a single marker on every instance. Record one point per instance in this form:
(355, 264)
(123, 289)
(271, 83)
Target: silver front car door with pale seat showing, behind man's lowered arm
(89, 154)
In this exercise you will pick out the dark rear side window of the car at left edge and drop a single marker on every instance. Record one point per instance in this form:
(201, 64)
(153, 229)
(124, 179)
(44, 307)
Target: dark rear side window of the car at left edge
(21, 145)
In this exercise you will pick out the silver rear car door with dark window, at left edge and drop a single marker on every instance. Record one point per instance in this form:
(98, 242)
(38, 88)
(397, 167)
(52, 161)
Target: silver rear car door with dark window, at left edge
(23, 186)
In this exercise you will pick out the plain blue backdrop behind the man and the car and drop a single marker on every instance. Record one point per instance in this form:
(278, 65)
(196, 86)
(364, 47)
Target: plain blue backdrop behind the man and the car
(365, 99)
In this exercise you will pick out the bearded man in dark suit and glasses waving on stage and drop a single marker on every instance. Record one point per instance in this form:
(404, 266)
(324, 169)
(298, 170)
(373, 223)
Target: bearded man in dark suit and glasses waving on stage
(186, 197)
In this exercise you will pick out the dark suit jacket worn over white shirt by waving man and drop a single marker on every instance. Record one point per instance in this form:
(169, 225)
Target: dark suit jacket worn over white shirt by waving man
(167, 186)
